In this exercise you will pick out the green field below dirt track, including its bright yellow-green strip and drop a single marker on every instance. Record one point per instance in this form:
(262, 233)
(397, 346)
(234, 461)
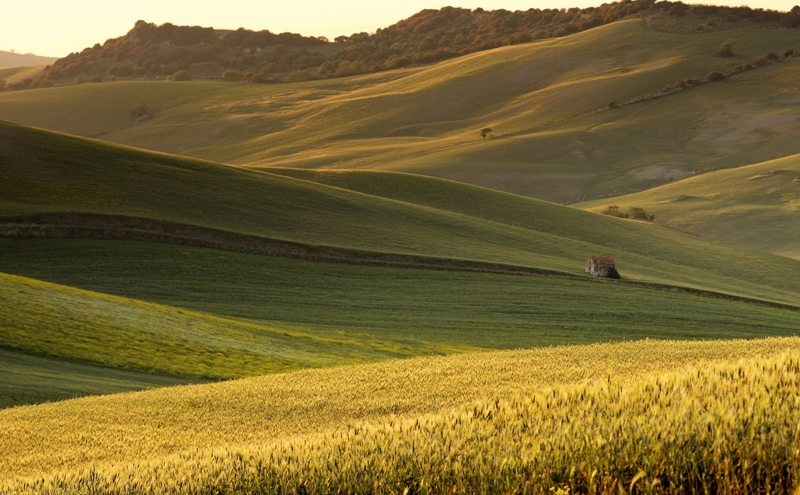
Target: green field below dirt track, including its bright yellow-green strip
(204, 313)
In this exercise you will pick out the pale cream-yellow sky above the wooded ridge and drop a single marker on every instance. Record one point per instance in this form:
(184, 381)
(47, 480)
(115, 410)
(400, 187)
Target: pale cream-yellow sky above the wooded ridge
(59, 27)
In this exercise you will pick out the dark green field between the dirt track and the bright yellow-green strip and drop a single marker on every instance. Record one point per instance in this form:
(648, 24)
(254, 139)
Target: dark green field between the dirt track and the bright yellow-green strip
(381, 312)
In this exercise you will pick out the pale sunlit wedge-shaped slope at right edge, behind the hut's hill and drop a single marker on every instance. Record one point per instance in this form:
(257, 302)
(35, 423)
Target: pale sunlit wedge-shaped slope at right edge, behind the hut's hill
(756, 206)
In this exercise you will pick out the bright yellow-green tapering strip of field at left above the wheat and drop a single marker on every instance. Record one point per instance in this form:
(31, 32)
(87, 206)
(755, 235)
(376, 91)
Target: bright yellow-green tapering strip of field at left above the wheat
(76, 325)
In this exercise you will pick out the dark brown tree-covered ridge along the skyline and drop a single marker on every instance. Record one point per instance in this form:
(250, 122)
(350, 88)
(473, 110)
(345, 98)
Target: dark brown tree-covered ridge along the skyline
(153, 51)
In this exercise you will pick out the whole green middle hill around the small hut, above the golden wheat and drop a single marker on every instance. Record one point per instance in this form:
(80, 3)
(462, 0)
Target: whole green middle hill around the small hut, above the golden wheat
(146, 262)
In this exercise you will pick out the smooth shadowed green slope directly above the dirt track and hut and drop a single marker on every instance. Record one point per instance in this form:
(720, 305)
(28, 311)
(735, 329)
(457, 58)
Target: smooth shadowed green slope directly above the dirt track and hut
(46, 173)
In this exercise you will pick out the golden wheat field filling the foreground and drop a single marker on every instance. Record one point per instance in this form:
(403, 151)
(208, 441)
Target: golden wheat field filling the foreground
(699, 415)
